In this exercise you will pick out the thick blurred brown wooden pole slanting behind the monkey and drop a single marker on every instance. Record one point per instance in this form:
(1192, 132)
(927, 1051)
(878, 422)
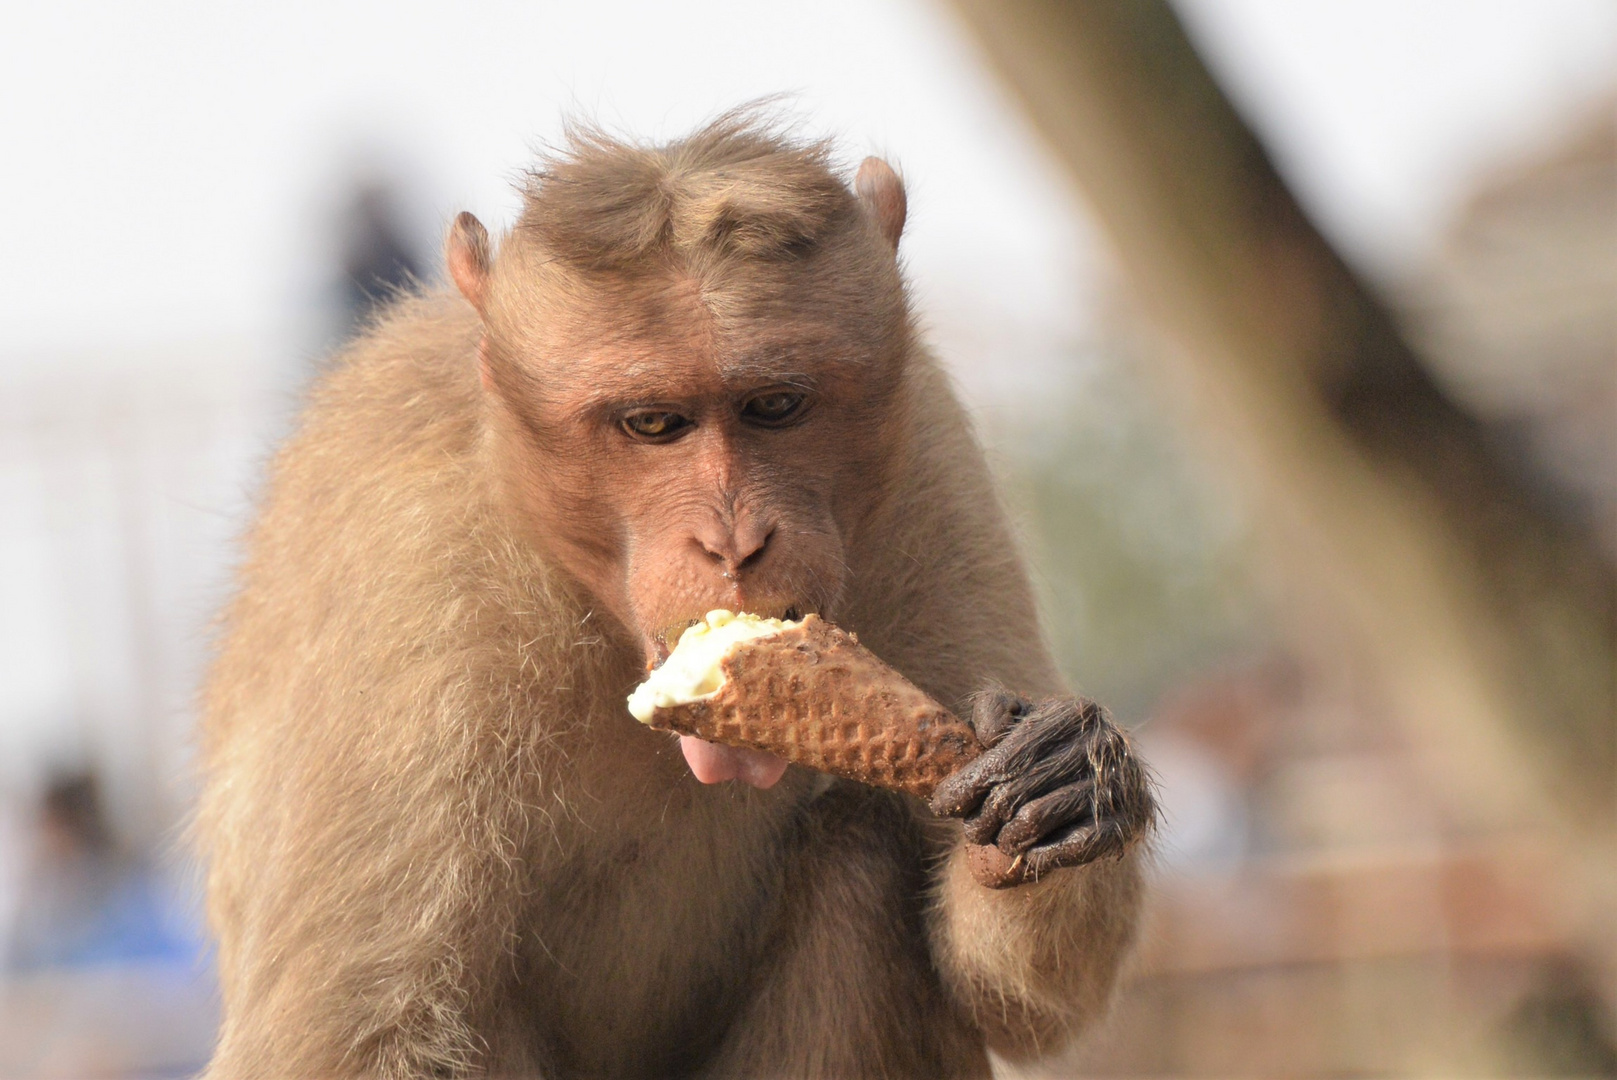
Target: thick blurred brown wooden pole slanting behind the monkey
(1488, 620)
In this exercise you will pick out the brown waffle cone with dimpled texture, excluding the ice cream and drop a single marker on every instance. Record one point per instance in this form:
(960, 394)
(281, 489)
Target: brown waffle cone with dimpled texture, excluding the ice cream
(814, 696)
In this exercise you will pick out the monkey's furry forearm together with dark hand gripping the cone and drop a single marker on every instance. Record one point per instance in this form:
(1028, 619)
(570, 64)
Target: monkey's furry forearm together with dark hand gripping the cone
(1062, 793)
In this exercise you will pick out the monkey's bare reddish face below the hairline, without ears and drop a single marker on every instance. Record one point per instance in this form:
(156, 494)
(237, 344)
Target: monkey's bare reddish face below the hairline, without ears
(682, 449)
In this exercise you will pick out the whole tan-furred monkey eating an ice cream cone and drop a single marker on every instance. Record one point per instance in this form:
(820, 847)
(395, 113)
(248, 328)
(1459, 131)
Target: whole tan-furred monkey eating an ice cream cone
(437, 845)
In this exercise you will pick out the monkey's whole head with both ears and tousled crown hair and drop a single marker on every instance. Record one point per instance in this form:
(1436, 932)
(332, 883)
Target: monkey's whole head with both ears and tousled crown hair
(693, 360)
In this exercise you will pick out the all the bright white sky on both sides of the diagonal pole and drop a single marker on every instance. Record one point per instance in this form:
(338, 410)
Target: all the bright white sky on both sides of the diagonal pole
(167, 164)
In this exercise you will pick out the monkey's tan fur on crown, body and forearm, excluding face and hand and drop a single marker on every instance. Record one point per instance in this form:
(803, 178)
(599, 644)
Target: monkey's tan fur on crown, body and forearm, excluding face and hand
(437, 845)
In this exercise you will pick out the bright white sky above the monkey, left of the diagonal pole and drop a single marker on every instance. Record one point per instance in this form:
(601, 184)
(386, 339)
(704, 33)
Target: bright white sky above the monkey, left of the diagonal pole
(172, 166)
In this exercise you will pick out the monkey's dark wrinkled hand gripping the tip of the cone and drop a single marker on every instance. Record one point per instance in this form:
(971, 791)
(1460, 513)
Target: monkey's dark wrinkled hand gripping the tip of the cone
(1058, 787)
